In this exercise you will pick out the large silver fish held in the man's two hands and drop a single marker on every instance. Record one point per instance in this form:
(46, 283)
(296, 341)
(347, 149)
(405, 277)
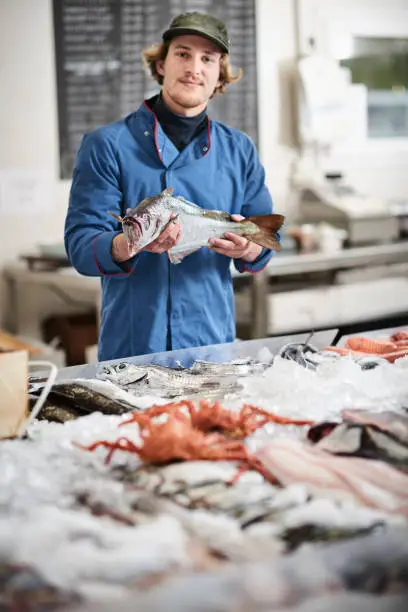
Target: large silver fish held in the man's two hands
(145, 223)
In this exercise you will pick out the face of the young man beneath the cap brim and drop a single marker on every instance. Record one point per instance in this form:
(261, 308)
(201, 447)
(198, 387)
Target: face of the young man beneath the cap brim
(190, 73)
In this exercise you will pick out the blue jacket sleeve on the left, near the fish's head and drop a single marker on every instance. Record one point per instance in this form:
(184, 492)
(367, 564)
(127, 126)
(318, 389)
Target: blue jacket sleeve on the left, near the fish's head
(95, 190)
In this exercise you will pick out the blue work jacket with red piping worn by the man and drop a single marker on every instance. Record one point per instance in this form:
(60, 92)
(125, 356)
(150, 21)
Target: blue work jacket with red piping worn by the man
(149, 304)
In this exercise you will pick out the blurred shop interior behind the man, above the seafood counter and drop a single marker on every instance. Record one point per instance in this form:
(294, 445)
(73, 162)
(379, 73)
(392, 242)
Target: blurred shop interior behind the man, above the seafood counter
(324, 97)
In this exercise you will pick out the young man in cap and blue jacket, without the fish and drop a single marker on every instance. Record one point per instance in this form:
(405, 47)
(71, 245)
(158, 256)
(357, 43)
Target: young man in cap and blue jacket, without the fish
(148, 304)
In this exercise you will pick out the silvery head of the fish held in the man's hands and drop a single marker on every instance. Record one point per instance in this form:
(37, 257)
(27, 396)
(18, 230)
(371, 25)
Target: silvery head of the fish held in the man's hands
(144, 224)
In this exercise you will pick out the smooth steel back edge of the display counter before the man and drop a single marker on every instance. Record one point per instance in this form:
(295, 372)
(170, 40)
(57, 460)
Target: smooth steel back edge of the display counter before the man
(215, 352)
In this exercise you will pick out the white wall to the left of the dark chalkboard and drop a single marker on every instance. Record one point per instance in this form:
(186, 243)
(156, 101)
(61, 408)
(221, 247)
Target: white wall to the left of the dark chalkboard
(28, 126)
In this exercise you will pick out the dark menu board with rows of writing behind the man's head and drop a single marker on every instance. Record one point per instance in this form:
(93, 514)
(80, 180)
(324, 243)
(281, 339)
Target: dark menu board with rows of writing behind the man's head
(101, 76)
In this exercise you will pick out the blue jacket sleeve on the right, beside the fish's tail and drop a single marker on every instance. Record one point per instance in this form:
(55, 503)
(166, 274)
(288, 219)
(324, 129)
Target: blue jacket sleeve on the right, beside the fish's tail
(257, 201)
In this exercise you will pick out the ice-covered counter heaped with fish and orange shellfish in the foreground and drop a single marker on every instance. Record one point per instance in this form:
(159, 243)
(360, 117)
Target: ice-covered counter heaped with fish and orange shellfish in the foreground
(261, 475)
